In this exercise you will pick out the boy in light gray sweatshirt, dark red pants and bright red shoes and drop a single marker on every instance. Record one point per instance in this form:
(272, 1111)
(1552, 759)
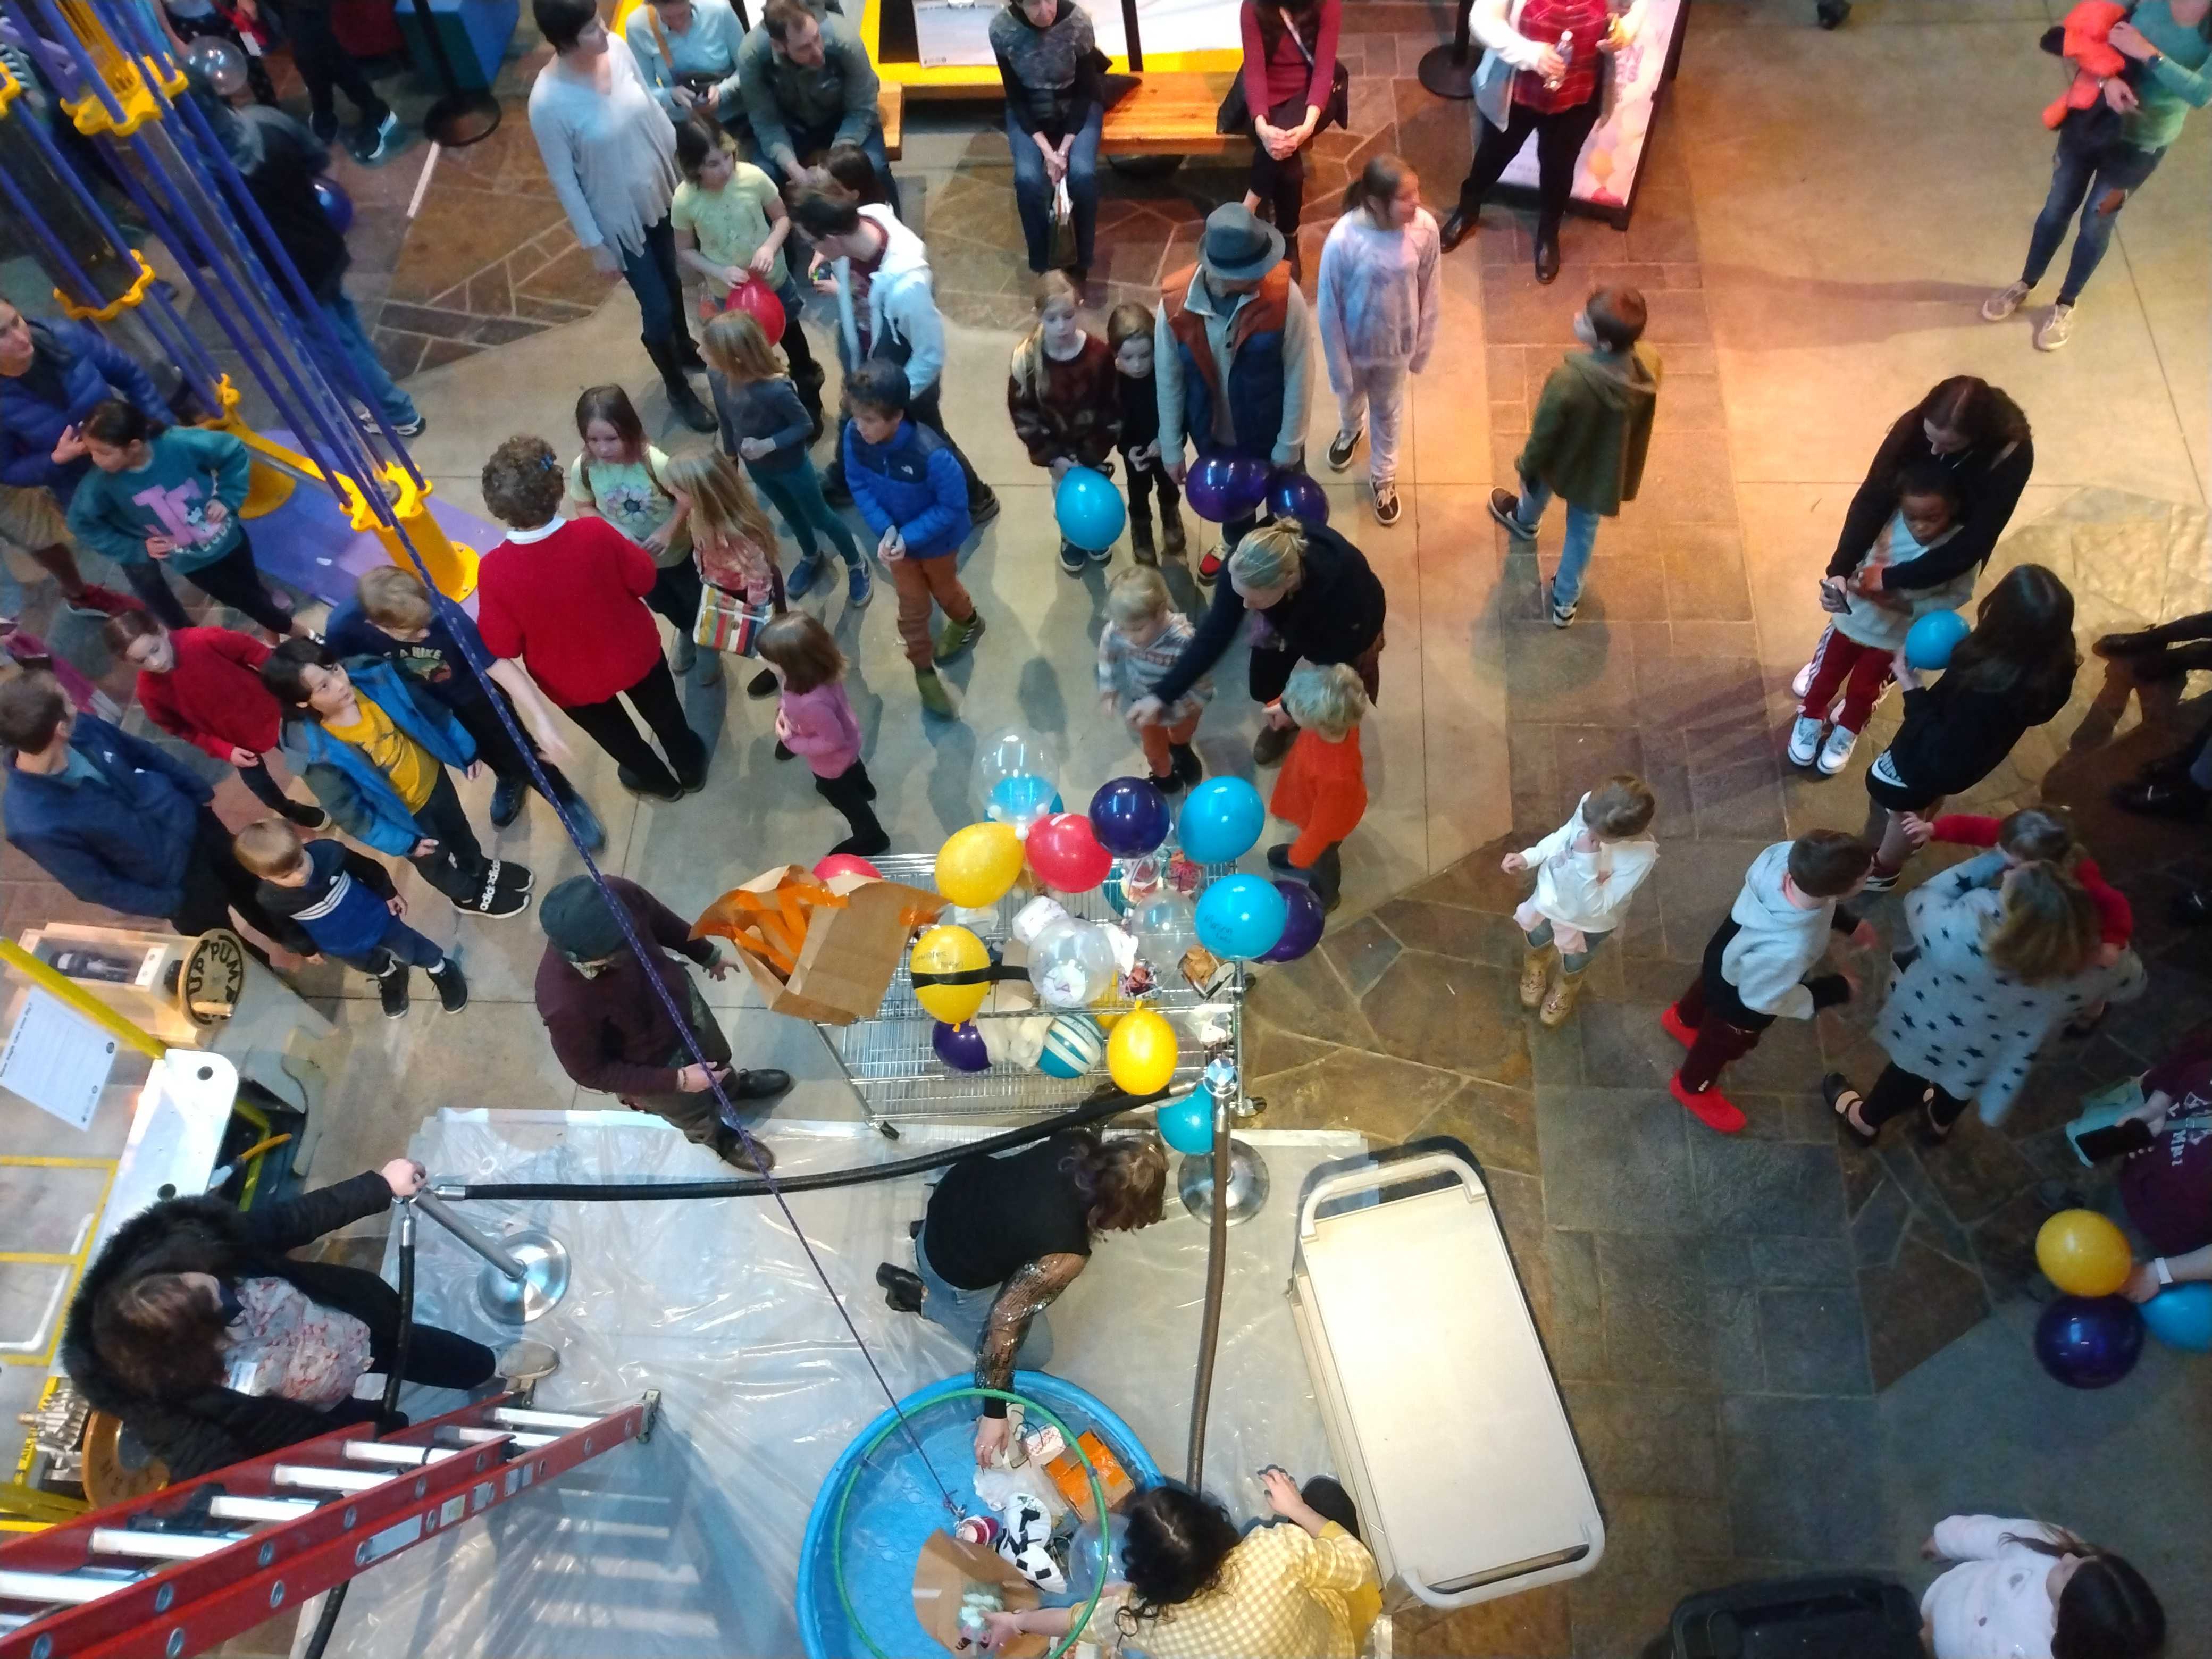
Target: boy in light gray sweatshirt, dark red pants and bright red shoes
(1757, 961)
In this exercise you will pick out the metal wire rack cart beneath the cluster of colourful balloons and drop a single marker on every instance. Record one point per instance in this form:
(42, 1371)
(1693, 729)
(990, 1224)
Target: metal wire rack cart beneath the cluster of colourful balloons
(899, 1078)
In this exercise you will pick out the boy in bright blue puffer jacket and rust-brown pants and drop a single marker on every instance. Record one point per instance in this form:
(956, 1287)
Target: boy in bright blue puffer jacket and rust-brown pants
(910, 490)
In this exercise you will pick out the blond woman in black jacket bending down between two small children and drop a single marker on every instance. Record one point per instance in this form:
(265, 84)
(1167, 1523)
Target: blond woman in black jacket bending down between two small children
(1317, 598)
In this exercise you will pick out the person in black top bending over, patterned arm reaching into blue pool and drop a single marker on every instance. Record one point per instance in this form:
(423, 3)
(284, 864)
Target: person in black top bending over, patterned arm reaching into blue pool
(1005, 1235)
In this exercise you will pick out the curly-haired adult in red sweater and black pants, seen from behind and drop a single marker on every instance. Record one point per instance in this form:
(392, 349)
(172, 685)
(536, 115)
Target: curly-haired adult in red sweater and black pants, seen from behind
(570, 601)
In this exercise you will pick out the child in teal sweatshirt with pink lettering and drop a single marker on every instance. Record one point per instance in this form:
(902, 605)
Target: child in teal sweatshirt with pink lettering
(171, 497)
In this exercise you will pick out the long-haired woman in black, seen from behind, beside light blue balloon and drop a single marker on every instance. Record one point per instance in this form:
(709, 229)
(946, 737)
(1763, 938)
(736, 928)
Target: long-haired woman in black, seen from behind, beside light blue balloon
(2014, 671)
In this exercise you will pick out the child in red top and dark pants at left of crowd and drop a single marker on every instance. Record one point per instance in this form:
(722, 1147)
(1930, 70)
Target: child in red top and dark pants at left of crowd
(205, 685)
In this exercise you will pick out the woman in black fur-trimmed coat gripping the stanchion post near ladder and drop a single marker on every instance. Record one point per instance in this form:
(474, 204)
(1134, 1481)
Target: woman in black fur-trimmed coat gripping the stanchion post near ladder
(213, 1344)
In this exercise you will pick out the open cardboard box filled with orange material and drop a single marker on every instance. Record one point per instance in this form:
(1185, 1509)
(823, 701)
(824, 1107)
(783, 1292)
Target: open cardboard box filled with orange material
(820, 950)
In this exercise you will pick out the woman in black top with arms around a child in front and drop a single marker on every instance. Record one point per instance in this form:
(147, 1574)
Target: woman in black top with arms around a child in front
(1976, 435)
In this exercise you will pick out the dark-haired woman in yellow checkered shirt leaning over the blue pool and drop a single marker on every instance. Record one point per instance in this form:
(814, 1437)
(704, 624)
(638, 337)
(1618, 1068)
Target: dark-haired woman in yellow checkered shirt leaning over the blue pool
(1200, 1592)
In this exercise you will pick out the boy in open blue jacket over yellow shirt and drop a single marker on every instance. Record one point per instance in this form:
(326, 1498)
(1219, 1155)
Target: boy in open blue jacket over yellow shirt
(375, 749)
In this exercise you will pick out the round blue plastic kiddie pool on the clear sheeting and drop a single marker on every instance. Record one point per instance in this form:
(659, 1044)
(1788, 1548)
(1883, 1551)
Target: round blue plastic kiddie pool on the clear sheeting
(879, 1505)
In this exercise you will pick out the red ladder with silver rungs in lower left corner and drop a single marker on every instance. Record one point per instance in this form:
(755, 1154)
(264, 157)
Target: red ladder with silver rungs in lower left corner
(182, 1569)
